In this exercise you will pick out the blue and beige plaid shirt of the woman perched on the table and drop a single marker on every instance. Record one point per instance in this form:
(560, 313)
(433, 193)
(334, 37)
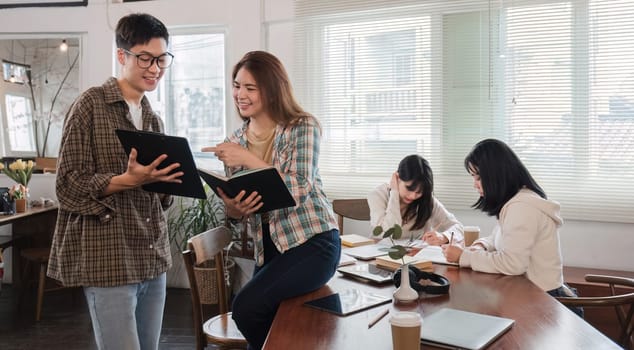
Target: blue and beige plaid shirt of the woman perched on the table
(296, 155)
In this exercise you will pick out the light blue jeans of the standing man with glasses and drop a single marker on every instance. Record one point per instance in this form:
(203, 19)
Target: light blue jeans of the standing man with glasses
(127, 317)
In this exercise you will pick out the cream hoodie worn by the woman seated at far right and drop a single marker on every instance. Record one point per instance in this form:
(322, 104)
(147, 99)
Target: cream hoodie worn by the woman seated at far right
(525, 240)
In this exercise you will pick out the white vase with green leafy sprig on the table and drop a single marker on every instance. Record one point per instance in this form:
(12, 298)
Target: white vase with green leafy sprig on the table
(404, 293)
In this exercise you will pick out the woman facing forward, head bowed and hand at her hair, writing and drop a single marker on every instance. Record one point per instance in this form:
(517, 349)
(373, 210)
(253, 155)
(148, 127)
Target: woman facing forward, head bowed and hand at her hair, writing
(408, 201)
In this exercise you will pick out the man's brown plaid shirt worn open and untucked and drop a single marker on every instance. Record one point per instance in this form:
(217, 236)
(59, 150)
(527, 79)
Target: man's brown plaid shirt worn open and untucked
(113, 240)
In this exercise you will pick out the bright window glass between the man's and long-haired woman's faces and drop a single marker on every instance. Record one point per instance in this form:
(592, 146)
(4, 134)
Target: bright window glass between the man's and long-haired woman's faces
(191, 97)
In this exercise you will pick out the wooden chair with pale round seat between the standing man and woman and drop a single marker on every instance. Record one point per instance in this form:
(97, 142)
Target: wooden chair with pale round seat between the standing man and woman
(220, 330)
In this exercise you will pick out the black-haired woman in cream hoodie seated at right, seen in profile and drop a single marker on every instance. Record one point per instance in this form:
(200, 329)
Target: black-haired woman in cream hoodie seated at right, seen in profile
(526, 237)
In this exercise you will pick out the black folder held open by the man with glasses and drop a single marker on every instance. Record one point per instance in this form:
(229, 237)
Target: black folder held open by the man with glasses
(150, 145)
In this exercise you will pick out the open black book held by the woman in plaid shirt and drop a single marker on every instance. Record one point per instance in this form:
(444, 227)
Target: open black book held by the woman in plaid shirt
(266, 181)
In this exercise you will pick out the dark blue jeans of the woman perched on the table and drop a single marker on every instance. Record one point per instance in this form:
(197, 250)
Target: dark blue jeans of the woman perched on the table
(298, 271)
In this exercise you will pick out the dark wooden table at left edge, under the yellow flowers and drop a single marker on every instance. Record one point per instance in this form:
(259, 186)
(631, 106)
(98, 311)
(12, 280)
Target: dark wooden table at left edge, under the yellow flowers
(33, 228)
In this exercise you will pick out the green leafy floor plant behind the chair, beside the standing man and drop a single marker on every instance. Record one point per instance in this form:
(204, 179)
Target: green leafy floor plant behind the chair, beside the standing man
(187, 218)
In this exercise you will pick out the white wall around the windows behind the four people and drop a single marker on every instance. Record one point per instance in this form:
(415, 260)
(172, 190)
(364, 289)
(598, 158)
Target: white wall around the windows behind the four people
(247, 23)
